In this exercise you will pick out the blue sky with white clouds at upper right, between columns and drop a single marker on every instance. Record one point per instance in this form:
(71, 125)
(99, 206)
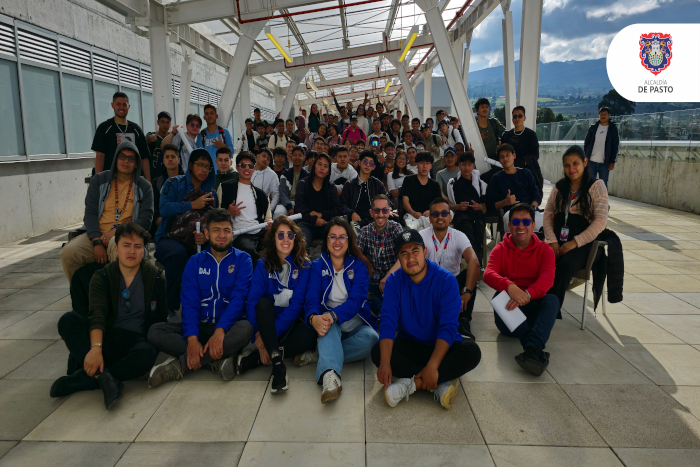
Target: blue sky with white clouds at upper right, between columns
(575, 29)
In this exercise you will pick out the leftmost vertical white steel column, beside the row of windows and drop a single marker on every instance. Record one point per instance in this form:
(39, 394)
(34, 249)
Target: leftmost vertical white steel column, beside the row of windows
(159, 40)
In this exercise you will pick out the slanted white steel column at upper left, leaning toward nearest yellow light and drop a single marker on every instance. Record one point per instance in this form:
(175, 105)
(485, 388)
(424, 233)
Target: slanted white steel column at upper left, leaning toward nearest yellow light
(237, 70)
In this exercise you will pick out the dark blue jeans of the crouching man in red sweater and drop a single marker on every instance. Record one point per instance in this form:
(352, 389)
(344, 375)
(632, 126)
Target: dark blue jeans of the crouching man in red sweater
(541, 315)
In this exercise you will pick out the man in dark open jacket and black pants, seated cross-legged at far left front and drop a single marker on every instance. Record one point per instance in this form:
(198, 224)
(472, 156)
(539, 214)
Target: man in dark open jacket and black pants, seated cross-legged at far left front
(110, 344)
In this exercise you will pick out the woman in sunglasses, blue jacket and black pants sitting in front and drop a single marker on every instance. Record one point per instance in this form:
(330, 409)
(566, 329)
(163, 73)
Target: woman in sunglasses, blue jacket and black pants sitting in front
(275, 305)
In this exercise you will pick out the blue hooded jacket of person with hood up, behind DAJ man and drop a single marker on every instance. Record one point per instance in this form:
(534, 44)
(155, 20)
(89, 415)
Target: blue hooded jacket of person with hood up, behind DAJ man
(176, 188)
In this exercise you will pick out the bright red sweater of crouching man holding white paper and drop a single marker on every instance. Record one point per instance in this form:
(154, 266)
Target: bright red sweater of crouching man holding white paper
(531, 269)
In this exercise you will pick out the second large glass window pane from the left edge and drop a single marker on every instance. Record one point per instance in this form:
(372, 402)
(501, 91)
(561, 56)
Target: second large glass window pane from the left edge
(42, 106)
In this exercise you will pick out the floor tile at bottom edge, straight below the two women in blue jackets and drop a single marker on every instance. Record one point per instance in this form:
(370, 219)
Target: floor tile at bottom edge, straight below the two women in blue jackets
(306, 454)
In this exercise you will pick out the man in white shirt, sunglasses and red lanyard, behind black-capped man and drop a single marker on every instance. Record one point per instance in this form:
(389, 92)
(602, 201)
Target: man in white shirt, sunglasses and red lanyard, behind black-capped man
(446, 247)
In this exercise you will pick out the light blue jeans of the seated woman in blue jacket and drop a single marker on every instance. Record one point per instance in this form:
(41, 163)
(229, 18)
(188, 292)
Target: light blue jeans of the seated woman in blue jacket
(337, 347)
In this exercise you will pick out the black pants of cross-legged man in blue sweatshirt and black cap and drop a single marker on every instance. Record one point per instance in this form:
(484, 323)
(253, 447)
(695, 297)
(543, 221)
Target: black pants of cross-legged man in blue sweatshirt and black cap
(408, 358)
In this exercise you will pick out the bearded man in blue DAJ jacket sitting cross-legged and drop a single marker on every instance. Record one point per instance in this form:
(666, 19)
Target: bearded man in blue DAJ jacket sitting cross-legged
(214, 288)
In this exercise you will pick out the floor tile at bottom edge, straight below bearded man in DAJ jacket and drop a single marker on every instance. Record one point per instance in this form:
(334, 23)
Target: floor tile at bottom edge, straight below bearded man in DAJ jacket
(181, 454)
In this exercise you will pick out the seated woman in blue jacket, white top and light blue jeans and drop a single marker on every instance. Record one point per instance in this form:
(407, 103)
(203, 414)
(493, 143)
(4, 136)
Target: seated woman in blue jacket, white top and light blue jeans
(337, 308)
